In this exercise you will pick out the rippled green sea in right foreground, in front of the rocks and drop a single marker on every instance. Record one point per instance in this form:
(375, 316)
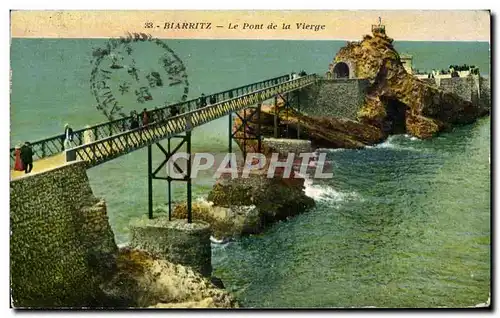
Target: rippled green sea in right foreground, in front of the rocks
(403, 224)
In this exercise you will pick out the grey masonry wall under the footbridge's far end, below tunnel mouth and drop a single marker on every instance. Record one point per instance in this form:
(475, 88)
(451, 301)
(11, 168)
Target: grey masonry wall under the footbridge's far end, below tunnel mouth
(337, 98)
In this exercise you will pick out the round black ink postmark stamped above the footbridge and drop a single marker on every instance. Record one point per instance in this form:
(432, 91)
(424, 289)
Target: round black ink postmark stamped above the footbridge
(135, 72)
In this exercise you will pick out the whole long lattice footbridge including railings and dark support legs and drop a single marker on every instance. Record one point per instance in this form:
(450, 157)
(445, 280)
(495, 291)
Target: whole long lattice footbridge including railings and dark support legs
(114, 139)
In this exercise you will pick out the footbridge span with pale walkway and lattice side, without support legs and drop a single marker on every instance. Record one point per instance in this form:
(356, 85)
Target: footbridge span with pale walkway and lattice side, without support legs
(120, 141)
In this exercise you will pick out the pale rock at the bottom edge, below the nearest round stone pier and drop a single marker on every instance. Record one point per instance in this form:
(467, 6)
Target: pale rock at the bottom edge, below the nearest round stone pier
(142, 280)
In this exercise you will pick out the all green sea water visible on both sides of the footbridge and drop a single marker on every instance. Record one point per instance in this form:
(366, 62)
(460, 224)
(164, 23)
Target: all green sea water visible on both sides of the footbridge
(406, 223)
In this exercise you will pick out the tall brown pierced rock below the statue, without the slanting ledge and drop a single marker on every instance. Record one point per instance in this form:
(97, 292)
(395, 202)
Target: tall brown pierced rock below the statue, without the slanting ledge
(398, 102)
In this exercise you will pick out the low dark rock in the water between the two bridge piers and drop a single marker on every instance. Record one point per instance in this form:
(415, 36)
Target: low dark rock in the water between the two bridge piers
(240, 206)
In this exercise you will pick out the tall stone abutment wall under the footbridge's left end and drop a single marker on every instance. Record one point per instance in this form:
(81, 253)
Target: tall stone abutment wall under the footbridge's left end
(59, 236)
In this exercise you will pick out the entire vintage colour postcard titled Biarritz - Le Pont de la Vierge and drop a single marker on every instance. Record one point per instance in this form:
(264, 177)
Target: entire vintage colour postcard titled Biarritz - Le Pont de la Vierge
(250, 159)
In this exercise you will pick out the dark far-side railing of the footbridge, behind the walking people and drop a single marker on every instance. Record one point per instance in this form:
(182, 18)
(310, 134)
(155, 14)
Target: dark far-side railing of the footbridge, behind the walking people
(53, 145)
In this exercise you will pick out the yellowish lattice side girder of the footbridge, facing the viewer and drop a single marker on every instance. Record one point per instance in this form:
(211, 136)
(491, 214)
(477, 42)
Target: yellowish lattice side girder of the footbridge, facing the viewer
(114, 146)
